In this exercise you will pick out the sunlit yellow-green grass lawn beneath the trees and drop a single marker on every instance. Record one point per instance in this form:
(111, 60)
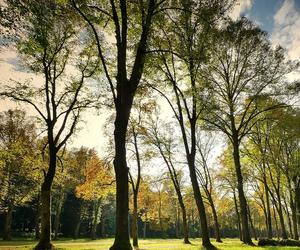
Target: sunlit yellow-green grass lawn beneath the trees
(159, 244)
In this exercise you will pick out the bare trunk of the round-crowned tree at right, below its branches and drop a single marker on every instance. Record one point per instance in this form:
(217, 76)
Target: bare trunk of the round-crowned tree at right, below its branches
(242, 199)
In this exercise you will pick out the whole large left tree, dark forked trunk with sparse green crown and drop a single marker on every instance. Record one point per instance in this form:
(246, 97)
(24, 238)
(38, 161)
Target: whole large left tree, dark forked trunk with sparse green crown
(49, 45)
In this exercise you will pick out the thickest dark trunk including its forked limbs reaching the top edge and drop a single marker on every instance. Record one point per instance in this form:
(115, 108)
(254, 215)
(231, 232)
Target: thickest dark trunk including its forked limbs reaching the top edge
(123, 102)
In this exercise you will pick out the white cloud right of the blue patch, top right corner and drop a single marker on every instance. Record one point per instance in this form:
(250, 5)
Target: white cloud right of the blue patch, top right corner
(286, 30)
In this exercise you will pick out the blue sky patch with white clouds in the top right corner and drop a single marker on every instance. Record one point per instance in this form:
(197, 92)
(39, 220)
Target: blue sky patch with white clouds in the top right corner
(280, 18)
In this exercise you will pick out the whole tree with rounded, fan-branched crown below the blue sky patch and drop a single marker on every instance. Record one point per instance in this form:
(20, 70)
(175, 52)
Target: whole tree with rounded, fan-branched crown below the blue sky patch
(243, 68)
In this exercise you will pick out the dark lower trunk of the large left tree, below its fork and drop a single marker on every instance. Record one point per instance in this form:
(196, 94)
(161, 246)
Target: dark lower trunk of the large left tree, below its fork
(45, 237)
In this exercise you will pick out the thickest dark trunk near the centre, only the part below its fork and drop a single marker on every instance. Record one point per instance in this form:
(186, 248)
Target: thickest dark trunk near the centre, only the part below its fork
(123, 107)
